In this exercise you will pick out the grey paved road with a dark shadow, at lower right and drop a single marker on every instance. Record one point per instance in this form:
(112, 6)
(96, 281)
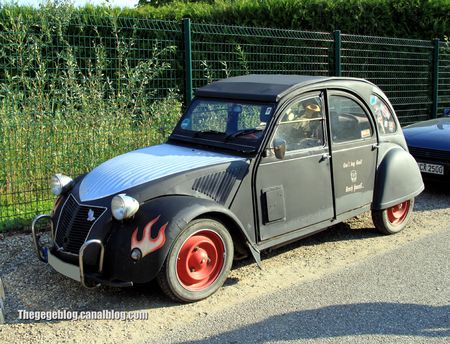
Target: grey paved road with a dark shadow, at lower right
(399, 297)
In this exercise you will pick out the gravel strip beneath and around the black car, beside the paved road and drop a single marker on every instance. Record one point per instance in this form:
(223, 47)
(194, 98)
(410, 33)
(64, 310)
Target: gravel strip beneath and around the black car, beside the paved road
(32, 285)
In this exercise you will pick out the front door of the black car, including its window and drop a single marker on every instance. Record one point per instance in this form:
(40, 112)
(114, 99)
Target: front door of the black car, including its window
(296, 192)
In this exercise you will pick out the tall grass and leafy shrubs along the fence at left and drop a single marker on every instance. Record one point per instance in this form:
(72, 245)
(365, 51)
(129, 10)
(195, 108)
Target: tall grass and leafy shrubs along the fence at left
(66, 106)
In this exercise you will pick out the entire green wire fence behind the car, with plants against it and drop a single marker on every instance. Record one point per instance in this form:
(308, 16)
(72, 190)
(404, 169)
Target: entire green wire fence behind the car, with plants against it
(77, 91)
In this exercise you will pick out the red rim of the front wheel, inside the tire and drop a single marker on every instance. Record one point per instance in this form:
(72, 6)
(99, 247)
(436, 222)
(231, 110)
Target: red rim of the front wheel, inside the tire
(200, 260)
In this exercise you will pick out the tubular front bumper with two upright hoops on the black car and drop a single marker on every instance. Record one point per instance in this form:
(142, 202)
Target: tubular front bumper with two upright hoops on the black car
(75, 272)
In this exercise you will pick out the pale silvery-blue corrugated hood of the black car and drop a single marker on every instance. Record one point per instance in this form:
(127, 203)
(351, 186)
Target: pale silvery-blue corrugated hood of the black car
(144, 165)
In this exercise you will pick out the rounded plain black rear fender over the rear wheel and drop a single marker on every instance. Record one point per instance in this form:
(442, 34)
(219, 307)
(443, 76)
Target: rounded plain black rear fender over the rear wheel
(398, 179)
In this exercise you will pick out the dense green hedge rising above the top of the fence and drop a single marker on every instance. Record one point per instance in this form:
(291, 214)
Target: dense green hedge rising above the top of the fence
(422, 19)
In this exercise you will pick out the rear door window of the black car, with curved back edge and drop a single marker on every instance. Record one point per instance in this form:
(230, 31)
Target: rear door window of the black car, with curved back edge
(348, 120)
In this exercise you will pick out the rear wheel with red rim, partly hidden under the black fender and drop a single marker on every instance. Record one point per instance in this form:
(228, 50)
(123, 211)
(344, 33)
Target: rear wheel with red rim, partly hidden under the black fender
(394, 219)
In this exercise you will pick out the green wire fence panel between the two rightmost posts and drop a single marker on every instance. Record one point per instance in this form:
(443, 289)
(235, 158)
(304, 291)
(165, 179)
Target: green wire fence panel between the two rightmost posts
(401, 68)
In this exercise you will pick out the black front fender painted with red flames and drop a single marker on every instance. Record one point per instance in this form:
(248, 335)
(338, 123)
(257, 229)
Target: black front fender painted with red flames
(165, 216)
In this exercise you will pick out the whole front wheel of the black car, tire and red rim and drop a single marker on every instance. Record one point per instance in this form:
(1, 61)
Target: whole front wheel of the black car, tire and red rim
(198, 262)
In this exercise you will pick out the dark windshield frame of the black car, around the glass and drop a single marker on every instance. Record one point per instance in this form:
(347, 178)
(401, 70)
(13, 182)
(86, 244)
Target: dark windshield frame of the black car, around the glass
(223, 140)
